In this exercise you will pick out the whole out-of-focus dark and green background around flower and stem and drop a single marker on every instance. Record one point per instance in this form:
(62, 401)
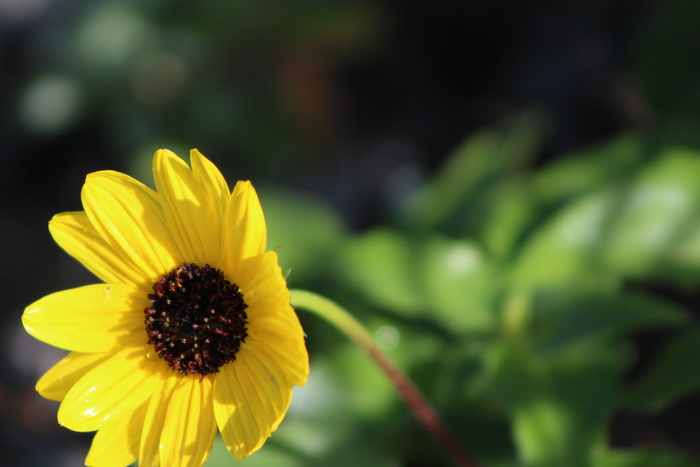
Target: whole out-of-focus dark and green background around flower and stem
(506, 193)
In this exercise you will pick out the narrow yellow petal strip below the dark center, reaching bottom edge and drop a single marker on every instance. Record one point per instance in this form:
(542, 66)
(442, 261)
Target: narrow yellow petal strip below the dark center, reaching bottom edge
(149, 454)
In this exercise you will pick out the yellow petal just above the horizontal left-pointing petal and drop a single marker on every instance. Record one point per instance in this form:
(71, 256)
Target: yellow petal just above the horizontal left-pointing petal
(74, 232)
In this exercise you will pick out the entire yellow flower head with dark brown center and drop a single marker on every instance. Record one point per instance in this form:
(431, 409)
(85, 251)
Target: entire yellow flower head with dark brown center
(191, 330)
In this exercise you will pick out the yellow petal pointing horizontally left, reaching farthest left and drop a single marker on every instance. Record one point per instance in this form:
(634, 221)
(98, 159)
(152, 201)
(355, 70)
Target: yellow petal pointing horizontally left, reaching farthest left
(93, 318)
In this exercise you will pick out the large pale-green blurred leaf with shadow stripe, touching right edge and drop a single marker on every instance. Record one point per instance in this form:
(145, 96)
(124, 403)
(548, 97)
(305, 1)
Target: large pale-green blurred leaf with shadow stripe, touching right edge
(647, 226)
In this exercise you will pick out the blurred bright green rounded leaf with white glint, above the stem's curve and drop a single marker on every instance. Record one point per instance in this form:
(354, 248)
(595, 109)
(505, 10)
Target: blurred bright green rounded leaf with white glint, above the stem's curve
(436, 277)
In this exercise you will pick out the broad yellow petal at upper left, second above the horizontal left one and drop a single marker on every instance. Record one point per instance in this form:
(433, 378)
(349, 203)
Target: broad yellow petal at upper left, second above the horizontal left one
(128, 215)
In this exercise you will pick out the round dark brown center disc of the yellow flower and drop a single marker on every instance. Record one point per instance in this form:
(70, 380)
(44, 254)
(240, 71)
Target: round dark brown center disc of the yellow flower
(197, 319)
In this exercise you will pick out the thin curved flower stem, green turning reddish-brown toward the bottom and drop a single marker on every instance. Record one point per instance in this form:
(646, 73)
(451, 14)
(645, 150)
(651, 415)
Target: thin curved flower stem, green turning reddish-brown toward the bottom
(347, 324)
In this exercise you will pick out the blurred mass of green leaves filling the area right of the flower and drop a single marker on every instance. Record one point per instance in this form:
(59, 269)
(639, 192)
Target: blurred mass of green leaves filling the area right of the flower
(520, 291)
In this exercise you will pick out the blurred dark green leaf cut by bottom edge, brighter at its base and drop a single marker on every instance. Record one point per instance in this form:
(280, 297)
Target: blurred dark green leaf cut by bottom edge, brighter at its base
(561, 403)
